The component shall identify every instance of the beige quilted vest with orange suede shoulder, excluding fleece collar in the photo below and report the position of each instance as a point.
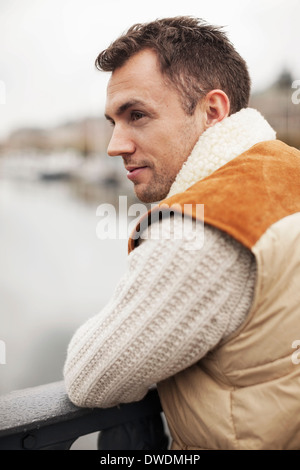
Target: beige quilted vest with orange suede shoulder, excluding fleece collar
(245, 393)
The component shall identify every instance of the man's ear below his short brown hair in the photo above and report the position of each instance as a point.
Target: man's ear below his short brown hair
(216, 107)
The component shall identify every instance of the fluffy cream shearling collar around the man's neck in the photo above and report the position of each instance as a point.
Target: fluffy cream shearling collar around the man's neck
(220, 144)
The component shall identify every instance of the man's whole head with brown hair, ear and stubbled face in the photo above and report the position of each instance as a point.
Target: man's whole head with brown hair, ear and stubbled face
(171, 80)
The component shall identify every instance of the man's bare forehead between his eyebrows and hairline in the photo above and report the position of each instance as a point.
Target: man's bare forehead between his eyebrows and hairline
(138, 79)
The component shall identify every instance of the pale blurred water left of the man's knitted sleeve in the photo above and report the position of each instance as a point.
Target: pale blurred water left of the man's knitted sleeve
(54, 274)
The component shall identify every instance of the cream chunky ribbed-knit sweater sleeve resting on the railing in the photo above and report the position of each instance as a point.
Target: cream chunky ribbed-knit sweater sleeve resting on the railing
(173, 305)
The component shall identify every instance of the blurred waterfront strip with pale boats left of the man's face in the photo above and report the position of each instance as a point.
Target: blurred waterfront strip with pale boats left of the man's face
(74, 152)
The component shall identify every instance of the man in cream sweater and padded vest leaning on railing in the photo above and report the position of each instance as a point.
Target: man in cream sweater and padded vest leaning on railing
(212, 327)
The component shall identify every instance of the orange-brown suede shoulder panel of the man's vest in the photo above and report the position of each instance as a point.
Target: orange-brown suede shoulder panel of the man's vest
(245, 196)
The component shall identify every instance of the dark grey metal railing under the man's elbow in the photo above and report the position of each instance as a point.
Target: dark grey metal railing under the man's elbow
(44, 418)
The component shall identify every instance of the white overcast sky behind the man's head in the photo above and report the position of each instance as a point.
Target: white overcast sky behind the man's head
(48, 49)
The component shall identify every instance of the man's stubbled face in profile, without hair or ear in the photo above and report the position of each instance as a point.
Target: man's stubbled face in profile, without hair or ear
(151, 131)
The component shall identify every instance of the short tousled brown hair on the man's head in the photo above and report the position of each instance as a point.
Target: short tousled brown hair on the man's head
(194, 56)
